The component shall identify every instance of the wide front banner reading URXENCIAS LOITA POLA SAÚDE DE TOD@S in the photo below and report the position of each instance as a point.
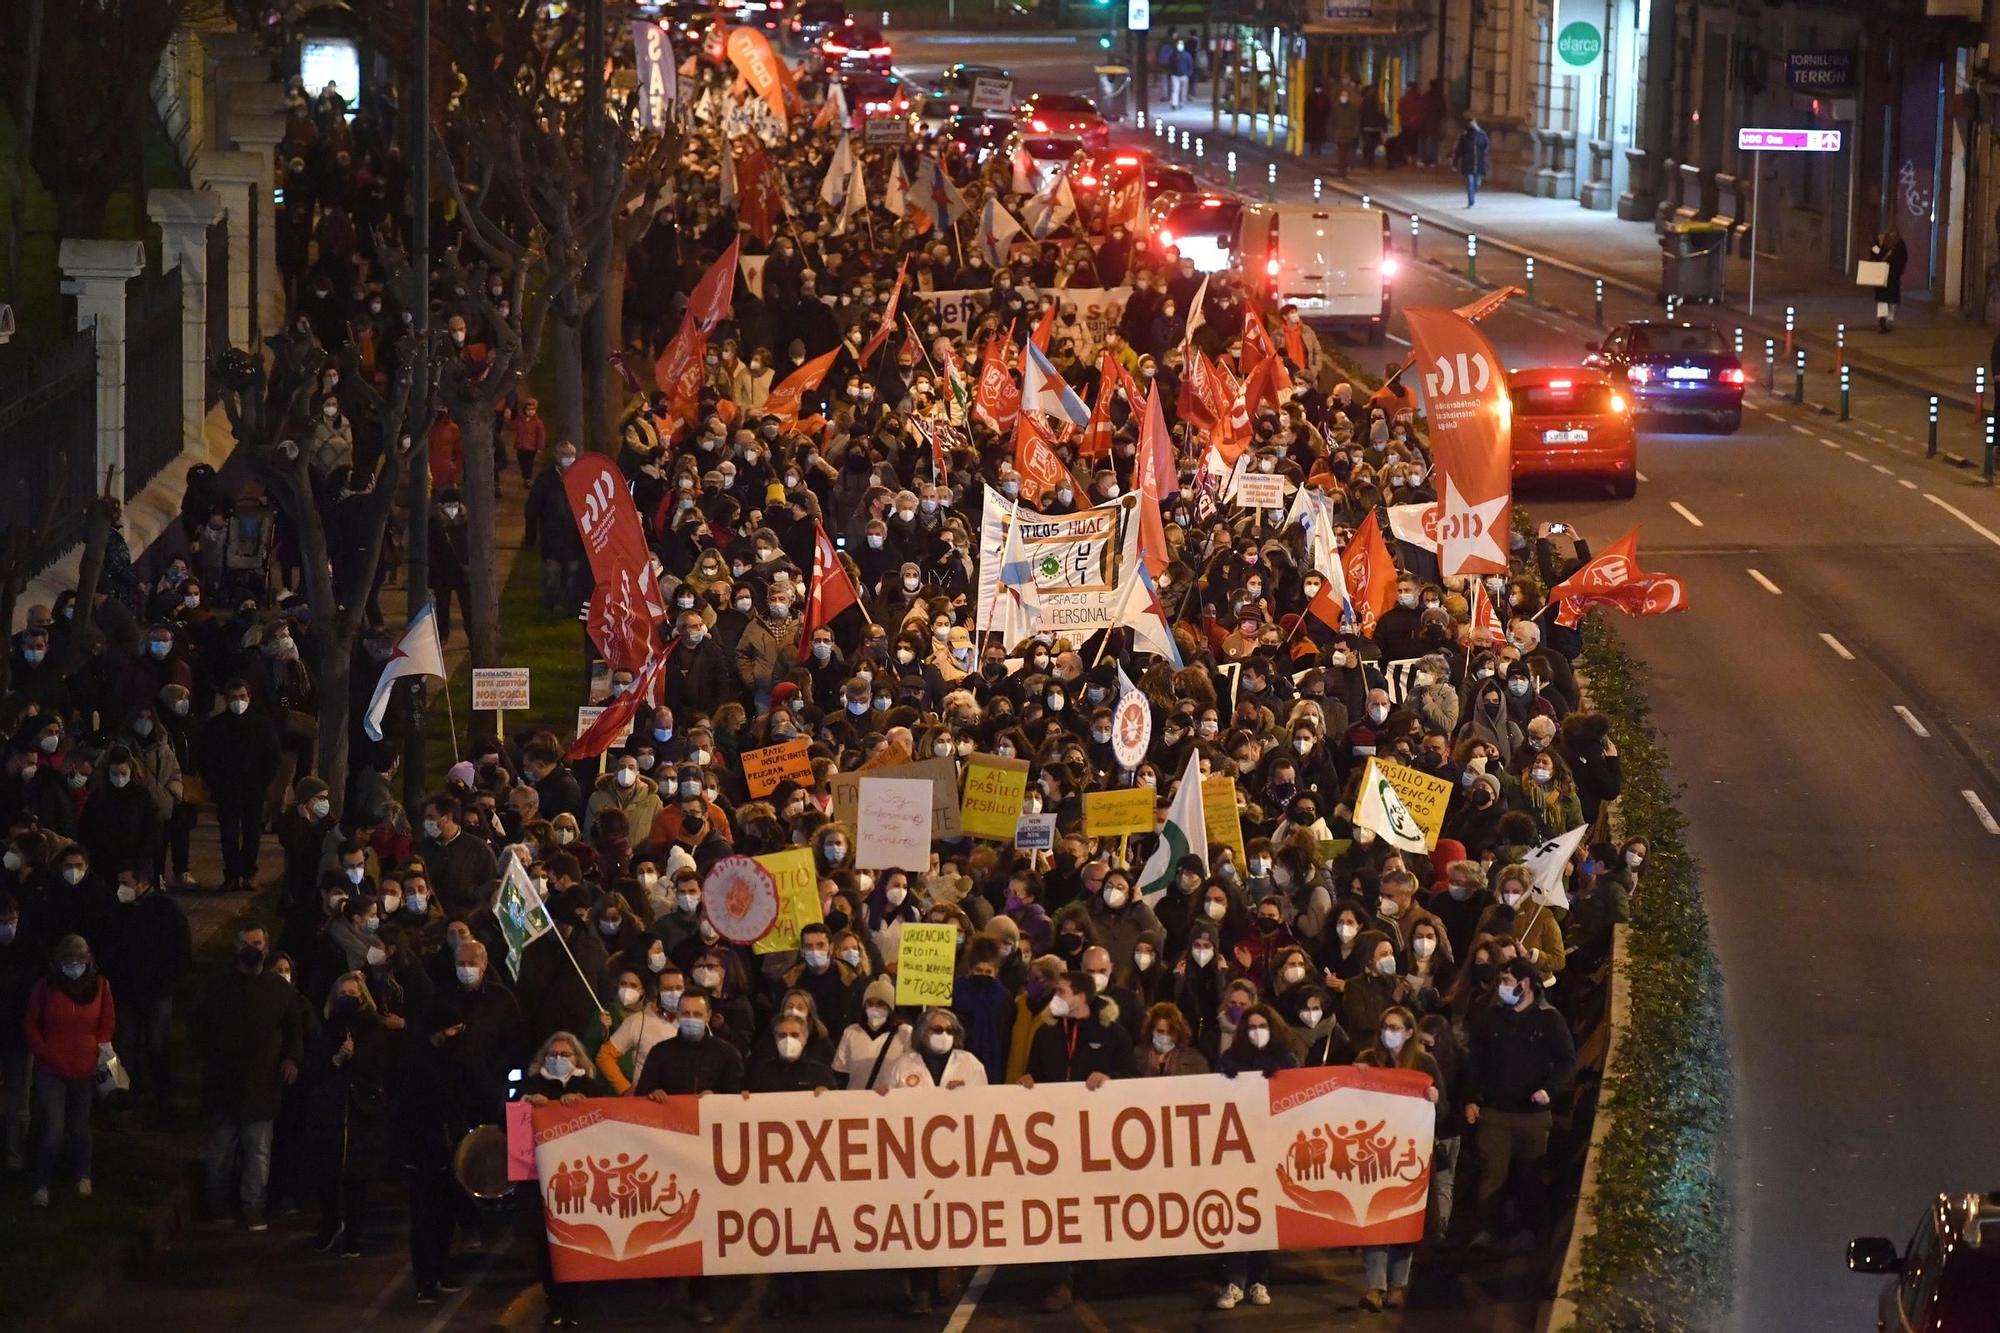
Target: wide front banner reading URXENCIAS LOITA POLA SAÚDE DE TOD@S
(927, 1176)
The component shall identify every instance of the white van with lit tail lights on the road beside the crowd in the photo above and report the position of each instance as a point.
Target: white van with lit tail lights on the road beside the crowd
(1331, 261)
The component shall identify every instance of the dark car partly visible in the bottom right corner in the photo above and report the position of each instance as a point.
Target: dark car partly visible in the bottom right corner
(1947, 1280)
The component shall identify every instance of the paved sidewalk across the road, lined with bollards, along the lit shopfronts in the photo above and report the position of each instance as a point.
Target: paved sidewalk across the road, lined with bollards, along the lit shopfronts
(1931, 351)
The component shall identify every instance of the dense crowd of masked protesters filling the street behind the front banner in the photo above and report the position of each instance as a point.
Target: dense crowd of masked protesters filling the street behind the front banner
(369, 1024)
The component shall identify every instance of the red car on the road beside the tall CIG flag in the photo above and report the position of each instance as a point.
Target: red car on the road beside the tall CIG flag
(1569, 423)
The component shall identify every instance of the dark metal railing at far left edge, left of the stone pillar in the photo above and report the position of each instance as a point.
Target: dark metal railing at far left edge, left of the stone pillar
(49, 439)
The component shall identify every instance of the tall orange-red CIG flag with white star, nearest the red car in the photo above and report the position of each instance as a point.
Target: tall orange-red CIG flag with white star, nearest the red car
(1467, 403)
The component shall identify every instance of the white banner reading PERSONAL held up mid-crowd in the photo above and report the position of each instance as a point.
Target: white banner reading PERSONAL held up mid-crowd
(1077, 561)
